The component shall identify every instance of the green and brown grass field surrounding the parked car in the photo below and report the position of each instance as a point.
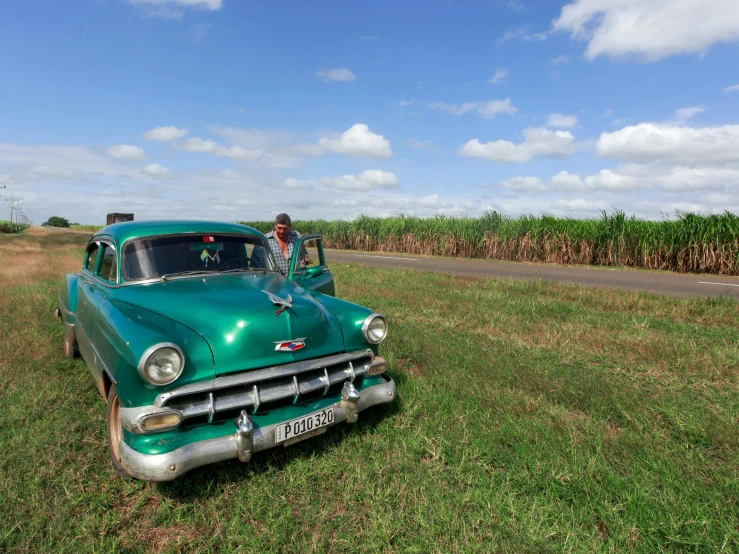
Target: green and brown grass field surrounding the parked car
(532, 417)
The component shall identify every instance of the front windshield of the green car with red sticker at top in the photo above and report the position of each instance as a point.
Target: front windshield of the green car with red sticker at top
(154, 257)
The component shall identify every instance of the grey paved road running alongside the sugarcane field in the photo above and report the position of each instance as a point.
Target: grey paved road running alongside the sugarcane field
(648, 281)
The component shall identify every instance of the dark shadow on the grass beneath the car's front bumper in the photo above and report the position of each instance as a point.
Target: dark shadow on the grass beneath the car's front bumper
(203, 482)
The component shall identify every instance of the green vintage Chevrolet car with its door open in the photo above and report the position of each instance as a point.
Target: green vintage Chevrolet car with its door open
(204, 351)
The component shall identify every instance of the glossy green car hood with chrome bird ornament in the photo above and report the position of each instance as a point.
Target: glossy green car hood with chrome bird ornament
(238, 320)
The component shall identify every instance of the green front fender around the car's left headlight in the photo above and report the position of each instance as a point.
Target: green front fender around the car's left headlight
(124, 332)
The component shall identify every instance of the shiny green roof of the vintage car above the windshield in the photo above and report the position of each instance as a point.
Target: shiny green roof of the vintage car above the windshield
(124, 231)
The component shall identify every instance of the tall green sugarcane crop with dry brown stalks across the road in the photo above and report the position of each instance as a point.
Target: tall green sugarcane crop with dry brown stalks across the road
(688, 243)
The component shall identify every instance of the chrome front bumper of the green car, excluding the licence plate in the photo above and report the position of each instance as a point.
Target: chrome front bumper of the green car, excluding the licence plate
(244, 442)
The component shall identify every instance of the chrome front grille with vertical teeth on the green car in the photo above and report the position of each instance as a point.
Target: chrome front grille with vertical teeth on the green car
(259, 389)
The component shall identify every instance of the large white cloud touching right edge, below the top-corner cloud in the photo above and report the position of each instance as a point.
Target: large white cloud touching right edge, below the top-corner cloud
(665, 142)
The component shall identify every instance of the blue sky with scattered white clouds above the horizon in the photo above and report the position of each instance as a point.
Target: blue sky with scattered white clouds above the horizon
(237, 109)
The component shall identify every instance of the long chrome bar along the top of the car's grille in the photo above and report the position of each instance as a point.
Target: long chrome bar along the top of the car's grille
(255, 375)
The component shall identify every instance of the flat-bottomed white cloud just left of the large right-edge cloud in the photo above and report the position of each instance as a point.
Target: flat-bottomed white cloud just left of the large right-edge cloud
(537, 142)
